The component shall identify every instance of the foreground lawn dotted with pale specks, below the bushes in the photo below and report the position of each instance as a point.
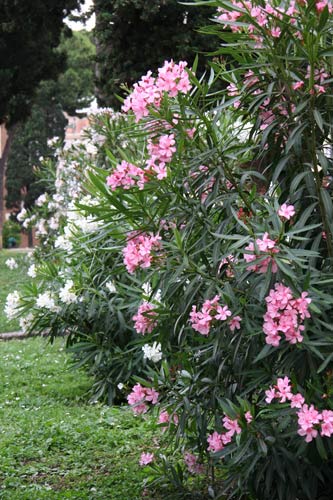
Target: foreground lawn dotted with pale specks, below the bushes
(53, 444)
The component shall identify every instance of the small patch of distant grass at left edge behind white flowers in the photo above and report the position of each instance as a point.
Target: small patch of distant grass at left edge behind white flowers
(11, 280)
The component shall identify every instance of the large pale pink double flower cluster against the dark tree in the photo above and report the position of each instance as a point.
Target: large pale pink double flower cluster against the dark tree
(172, 78)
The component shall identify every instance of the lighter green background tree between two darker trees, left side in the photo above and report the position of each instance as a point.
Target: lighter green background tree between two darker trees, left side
(72, 90)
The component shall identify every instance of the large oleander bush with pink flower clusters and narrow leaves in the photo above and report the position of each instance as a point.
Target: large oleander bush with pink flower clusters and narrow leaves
(220, 205)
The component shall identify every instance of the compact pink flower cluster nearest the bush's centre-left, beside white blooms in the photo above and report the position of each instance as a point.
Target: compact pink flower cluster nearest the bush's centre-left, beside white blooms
(139, 250)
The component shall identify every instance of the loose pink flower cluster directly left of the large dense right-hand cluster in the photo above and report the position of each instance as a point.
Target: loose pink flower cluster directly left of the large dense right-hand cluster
(211, 310)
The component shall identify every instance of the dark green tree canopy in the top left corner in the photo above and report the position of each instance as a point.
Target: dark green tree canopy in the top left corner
(29, 32)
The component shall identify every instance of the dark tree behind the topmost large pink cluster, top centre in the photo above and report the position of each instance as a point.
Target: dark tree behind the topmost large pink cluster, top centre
(133, 36)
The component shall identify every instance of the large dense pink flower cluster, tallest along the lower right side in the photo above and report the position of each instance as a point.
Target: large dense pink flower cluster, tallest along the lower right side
(285, 314)
